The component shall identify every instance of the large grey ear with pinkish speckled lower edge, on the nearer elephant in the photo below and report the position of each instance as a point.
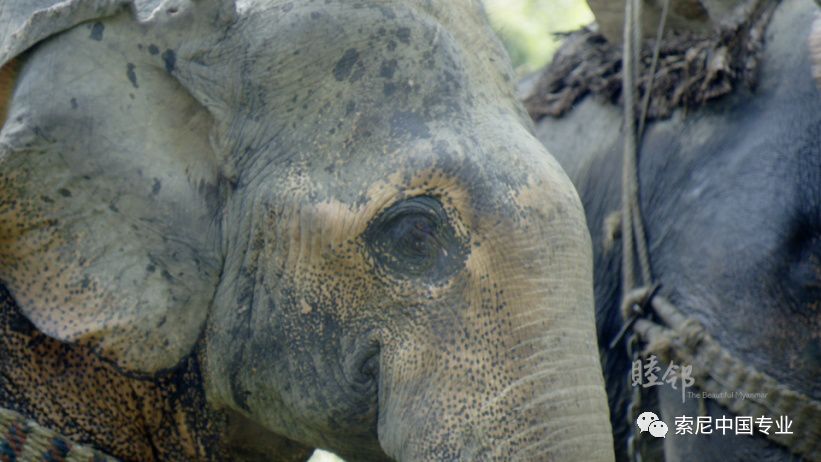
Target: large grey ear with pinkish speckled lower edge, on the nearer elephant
(109, 188)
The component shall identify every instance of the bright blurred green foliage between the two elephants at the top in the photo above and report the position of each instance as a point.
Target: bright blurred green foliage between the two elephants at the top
(526, 27)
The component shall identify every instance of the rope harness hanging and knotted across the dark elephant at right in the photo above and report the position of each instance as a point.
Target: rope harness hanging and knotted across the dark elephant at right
(677, 337)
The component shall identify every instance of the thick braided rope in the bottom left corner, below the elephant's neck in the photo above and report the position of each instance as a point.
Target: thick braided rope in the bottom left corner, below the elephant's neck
(23, 440)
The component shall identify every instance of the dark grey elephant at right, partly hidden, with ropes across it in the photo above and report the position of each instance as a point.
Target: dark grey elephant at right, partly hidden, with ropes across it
(730, 200)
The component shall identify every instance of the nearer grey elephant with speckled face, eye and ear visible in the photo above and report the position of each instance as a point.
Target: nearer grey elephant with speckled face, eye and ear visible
(245, 230)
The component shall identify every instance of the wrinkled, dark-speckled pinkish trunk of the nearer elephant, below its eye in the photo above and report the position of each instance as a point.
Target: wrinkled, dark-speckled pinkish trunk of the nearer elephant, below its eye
(522, 384)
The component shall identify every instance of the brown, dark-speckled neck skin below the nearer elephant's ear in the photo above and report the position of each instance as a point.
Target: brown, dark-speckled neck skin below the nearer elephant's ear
(81, 398)
